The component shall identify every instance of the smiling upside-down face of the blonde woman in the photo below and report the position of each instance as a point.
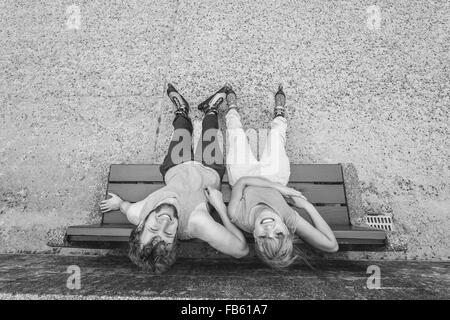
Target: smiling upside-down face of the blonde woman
(269, 224)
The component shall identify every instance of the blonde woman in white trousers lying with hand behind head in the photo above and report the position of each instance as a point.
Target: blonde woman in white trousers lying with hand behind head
(258, 203)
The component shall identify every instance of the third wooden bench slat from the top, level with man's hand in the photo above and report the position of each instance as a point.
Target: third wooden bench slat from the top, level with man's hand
(332, 215)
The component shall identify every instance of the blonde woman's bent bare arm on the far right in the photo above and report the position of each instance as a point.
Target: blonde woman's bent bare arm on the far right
(320, 235)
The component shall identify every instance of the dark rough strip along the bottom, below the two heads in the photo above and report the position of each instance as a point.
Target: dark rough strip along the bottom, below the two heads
(45, 276)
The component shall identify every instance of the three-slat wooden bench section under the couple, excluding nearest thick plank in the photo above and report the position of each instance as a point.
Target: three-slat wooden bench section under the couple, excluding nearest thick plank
(322, 184)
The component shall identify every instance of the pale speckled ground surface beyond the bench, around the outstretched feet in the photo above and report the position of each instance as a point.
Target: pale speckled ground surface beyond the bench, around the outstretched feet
(78, 95)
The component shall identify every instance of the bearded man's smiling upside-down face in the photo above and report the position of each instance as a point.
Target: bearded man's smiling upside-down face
(163, 224)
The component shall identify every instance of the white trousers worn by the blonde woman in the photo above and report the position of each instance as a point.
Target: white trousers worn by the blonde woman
(274, 163)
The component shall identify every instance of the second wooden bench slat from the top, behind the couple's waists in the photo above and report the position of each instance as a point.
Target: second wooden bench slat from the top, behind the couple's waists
(316, 193)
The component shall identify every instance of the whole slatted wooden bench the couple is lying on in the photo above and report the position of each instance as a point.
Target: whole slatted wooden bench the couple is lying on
(322, 184)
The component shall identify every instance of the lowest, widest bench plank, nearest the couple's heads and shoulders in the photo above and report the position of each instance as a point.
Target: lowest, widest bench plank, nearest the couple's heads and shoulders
(344, 234)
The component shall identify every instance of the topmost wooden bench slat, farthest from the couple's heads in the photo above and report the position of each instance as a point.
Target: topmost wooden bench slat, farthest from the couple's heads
(331, 173)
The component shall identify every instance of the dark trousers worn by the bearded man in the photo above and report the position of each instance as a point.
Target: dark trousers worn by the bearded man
(208, 150)
